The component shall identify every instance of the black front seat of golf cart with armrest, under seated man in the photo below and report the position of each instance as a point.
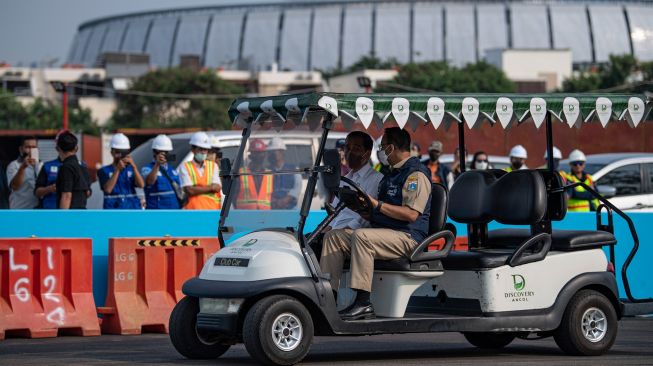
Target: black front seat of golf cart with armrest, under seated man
(420, 259)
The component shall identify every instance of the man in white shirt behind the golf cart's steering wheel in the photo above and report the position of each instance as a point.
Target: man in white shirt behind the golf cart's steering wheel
(358, 149)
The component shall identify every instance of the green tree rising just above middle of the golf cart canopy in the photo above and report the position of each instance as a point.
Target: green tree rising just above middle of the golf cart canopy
(439, 76)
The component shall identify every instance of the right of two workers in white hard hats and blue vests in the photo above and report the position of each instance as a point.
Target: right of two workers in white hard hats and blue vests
(161, 178)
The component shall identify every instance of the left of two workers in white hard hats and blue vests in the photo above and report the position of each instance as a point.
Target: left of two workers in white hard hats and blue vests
(120, 179)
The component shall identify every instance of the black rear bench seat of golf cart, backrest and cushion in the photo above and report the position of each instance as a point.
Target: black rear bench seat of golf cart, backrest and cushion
(516, 198)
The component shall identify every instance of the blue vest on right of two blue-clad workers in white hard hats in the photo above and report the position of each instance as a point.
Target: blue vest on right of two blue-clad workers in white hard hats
(161, 195)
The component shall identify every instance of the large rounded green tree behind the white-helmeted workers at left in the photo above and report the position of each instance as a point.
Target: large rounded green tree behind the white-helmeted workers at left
(150, 109)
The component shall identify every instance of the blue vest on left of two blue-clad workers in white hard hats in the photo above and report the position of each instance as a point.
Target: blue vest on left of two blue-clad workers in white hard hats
(123, 196)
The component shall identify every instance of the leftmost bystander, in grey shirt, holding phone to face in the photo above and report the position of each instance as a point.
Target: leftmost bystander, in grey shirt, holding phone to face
(21, 175)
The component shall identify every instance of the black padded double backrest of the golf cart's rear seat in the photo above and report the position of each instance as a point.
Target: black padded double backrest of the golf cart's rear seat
(516, 198)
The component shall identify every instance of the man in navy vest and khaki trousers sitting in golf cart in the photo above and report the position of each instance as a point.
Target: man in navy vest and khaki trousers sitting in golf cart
(399, 221)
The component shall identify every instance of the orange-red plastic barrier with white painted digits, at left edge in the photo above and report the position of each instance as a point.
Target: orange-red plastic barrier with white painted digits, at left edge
(46, 288)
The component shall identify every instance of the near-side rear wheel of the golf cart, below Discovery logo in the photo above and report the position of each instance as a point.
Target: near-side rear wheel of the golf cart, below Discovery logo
(570, 335)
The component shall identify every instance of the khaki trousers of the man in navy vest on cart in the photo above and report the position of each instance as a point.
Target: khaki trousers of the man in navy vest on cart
(362, 246)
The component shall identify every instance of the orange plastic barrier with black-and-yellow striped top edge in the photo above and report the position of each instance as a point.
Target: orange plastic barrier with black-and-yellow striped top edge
(145, 279)
